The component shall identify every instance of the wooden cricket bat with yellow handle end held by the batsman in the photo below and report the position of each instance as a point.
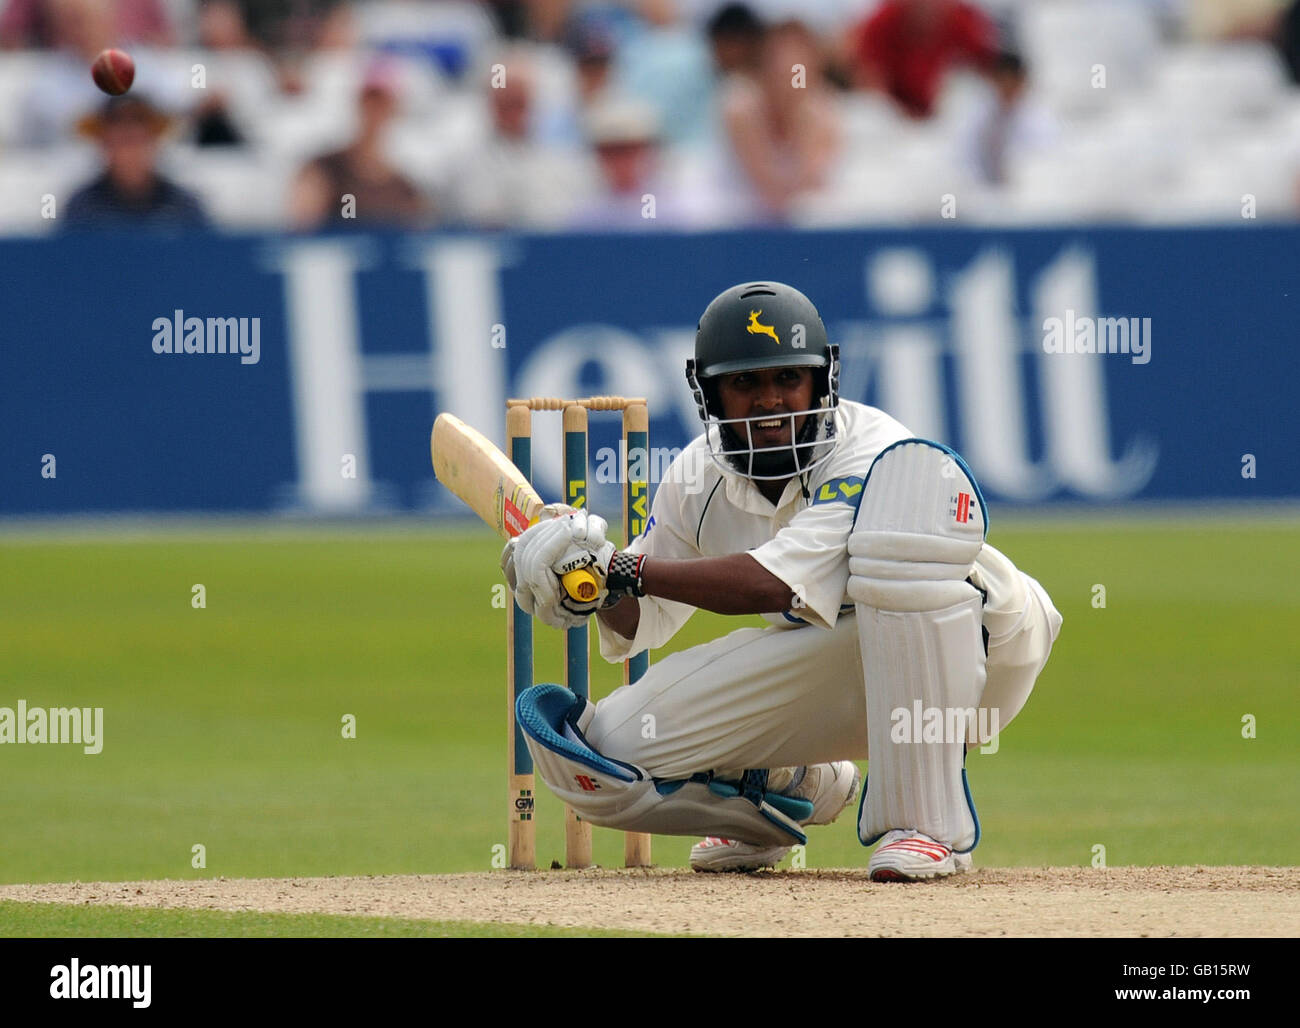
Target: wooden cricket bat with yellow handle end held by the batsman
(469, 465)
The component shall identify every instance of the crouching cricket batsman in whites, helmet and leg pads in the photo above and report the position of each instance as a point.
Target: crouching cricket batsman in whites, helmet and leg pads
(896, 632)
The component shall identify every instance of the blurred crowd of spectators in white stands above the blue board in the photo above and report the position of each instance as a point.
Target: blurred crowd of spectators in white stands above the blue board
(644, 115)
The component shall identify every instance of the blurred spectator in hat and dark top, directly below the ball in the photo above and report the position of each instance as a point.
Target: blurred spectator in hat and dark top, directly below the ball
(131, 190)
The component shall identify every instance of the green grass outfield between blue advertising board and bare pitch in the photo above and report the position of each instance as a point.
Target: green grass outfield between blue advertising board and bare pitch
(223, 726)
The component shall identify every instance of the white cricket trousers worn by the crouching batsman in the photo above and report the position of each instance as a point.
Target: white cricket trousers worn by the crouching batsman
(775, 697)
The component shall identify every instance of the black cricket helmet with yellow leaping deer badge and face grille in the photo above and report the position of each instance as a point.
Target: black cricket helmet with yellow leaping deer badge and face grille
(755, 327)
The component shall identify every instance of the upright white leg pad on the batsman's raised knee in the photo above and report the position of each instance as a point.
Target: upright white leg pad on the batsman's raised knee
(918, 532)
